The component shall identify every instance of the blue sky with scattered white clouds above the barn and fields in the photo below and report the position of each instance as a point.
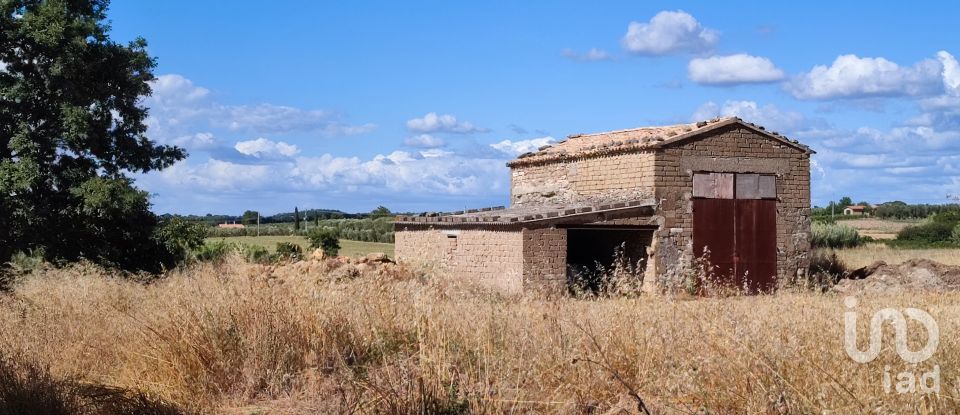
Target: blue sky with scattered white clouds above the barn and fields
(417, 106)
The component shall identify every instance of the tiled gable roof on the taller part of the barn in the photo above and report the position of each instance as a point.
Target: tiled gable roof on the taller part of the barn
(643, 138)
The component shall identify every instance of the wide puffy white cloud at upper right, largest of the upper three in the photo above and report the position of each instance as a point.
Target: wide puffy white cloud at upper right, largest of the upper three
(851, 76)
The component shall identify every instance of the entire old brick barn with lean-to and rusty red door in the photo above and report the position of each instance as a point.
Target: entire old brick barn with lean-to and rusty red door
(723, 189)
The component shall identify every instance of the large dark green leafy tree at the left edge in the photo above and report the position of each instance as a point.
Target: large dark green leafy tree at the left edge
(71, 131)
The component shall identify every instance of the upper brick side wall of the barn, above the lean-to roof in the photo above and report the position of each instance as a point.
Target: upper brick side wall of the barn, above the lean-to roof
(596, 177)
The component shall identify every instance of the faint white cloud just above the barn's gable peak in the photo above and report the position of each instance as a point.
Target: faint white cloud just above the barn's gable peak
(768, 115)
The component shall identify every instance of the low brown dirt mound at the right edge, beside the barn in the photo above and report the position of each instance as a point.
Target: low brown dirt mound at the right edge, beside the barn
(912, 275)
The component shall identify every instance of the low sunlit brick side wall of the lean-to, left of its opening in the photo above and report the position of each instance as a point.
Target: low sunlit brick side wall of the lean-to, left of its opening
(492, 259)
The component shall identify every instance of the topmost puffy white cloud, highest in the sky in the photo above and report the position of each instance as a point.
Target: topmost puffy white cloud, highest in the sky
(669, 32)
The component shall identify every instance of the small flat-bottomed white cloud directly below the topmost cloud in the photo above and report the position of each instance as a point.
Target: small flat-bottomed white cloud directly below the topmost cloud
(733, 69)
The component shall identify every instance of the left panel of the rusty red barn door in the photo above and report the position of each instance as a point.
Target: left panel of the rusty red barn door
(714, 229)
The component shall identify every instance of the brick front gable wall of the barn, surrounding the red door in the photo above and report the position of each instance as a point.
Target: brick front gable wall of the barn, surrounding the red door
(733, 149)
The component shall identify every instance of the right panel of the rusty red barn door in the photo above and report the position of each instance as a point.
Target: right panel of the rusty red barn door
(756, 244)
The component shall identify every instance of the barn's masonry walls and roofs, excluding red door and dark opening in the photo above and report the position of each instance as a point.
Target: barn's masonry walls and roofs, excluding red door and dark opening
(525, 247)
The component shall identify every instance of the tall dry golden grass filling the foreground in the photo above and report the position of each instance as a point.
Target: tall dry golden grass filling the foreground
(236, 336)
